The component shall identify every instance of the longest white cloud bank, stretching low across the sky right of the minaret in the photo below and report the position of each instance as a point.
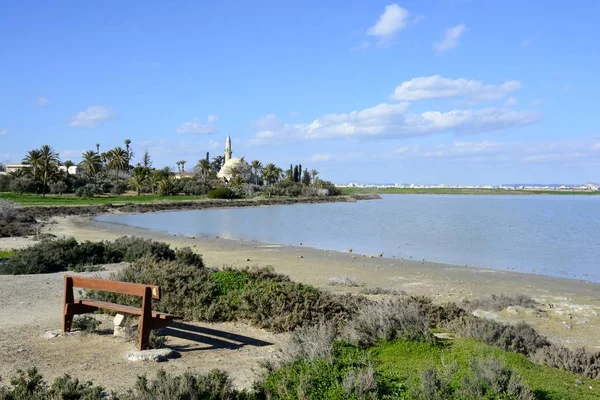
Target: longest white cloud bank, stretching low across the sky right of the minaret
(393, 120)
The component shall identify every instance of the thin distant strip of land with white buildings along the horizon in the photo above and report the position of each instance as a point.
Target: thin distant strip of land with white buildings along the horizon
(510, 192)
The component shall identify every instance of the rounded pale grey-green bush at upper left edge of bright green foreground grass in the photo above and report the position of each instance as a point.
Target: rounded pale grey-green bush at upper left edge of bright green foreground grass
(391, 320)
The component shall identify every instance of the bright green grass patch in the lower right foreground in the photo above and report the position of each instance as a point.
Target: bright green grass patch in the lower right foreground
(404, 359)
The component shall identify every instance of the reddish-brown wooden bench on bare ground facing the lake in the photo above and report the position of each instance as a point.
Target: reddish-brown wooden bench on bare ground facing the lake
(148, 319)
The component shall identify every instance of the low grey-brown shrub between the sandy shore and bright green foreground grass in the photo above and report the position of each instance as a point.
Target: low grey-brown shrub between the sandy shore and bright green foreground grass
(520, 338)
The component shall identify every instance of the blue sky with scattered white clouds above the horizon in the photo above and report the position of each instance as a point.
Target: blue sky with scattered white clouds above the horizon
(447, 91)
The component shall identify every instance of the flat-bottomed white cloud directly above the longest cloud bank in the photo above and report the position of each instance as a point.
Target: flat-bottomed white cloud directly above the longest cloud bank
(436, 86)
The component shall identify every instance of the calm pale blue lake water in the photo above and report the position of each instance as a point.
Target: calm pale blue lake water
(550, 235)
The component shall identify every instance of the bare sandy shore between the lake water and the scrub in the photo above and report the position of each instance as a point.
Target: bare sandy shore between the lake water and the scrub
(569, 311)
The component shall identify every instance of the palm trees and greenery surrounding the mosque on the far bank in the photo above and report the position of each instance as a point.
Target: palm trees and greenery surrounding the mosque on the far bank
(110, 174)
